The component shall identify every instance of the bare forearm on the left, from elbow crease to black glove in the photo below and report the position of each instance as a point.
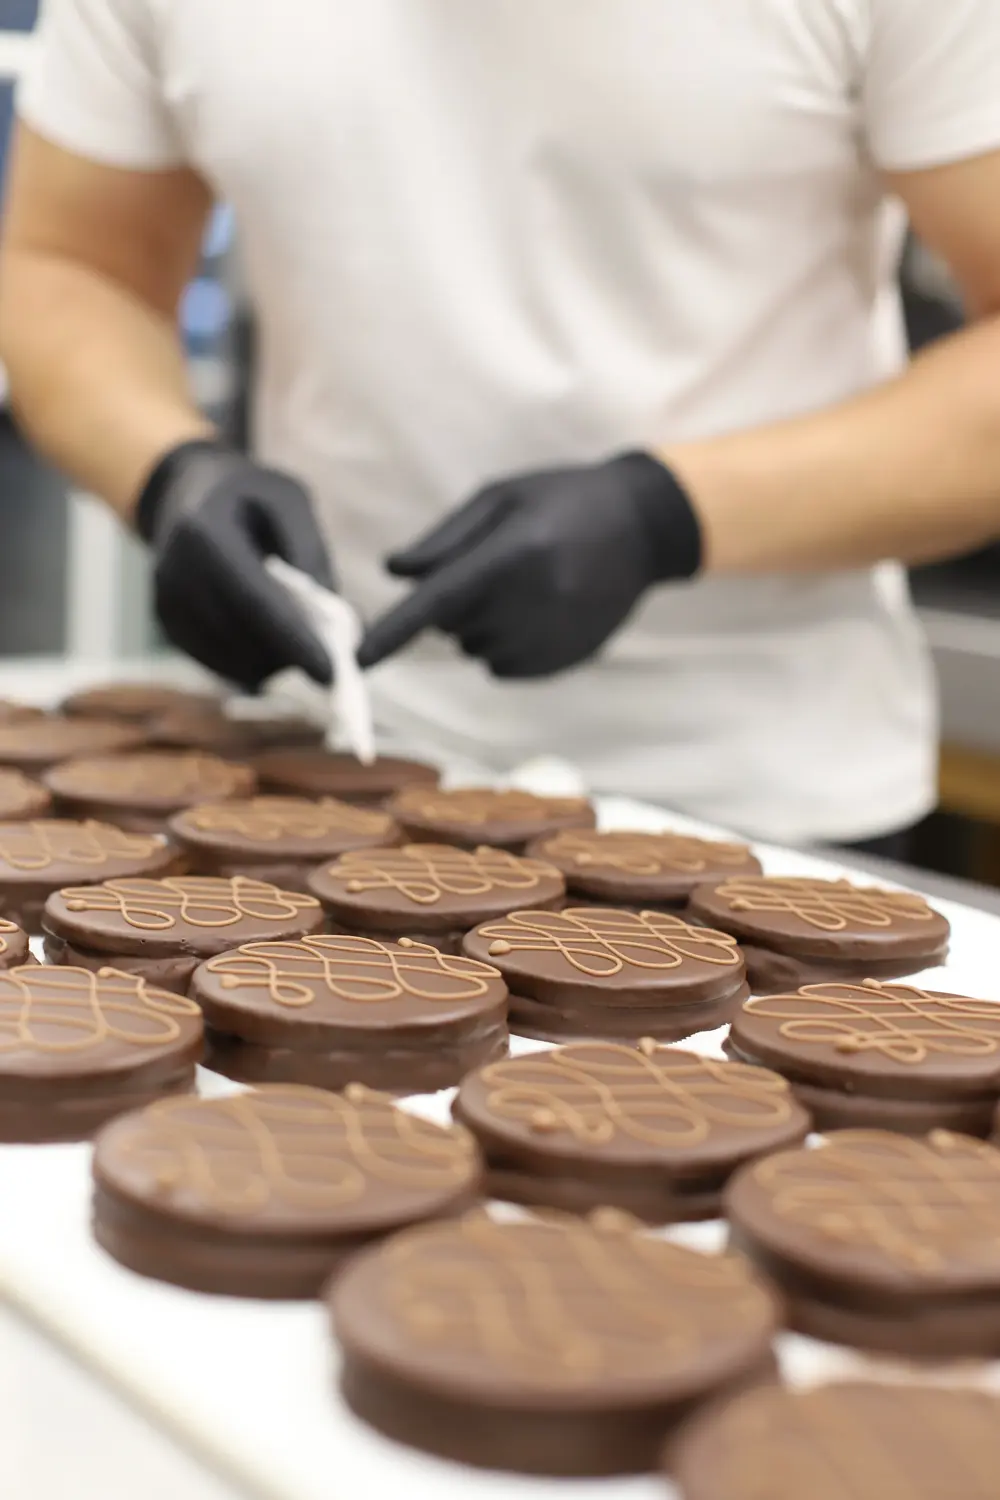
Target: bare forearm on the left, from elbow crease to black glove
(97, 377)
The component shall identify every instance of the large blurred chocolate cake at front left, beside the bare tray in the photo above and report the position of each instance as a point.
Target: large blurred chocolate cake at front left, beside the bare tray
(265, 1193)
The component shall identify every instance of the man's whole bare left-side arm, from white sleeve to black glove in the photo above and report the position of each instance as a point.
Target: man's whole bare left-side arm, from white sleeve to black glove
(92, 266)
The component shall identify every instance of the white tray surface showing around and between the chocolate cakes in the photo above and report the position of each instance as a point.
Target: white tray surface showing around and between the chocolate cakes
(253, 1385)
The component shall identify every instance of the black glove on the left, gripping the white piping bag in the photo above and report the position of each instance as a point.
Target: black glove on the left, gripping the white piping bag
(212, 517)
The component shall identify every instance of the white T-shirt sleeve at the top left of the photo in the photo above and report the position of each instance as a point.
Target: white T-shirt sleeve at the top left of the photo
(94, 85)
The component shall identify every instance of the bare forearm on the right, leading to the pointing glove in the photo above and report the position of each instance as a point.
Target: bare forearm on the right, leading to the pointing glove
(909, 470)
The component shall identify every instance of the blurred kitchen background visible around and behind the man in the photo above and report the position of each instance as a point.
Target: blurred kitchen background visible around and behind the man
(71, 584)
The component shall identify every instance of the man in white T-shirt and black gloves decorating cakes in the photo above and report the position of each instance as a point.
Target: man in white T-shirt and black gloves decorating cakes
(584, 310)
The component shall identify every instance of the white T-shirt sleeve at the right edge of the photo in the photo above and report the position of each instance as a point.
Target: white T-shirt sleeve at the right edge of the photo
(932, 89)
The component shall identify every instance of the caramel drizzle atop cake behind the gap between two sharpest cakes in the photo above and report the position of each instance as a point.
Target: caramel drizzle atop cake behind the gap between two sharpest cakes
(424, 874)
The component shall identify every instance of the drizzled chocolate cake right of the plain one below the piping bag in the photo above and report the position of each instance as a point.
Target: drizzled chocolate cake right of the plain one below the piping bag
(476, 815)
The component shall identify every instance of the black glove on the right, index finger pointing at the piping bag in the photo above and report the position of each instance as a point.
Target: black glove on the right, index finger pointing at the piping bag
(537, 572)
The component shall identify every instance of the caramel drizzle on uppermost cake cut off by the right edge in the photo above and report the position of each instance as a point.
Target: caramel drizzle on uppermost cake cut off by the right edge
(897, 1021)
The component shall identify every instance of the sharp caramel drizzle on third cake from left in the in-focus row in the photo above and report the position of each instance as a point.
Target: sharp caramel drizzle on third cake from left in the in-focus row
(606, 943)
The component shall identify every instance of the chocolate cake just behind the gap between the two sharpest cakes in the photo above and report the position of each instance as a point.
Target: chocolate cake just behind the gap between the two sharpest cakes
(434, 893)
